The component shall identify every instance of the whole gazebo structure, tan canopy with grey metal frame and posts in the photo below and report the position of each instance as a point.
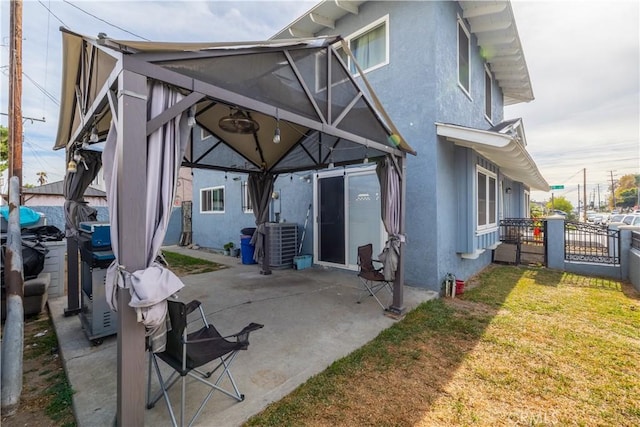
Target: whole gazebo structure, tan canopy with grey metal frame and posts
(301, 87)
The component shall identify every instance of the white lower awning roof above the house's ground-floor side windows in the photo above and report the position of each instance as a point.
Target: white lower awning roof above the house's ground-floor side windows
(504, 145)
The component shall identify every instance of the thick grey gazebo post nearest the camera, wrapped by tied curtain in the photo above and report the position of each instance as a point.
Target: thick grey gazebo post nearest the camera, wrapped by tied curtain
(131, 158)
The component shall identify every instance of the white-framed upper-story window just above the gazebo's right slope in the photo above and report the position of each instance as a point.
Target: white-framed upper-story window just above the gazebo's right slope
(370, 46)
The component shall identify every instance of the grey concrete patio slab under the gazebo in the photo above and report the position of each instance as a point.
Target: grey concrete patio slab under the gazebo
(310, 319)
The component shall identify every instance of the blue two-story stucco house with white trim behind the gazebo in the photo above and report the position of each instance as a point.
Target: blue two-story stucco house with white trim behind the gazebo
(444, 71)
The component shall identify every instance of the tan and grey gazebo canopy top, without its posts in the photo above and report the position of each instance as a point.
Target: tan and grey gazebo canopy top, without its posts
(298, 89)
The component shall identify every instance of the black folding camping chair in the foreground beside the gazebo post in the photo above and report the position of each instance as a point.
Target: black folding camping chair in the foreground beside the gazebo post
(186, 352)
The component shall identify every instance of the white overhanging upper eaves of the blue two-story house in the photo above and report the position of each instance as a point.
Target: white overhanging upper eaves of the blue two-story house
(492, 22)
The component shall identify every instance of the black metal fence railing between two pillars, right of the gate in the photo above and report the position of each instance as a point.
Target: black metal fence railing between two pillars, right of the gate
(591, 243)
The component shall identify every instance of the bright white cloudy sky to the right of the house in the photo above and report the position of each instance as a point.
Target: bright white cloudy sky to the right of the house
(583, 59)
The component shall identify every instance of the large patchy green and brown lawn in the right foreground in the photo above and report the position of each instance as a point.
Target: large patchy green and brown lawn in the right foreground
(525, 346)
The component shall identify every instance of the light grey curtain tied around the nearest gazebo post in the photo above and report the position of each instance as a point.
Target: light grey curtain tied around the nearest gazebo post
(150, 287)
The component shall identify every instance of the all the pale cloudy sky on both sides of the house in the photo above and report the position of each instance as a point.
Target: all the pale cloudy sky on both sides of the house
(583, 59)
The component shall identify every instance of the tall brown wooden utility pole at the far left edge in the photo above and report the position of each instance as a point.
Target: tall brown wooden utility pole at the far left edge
(15, 91)
